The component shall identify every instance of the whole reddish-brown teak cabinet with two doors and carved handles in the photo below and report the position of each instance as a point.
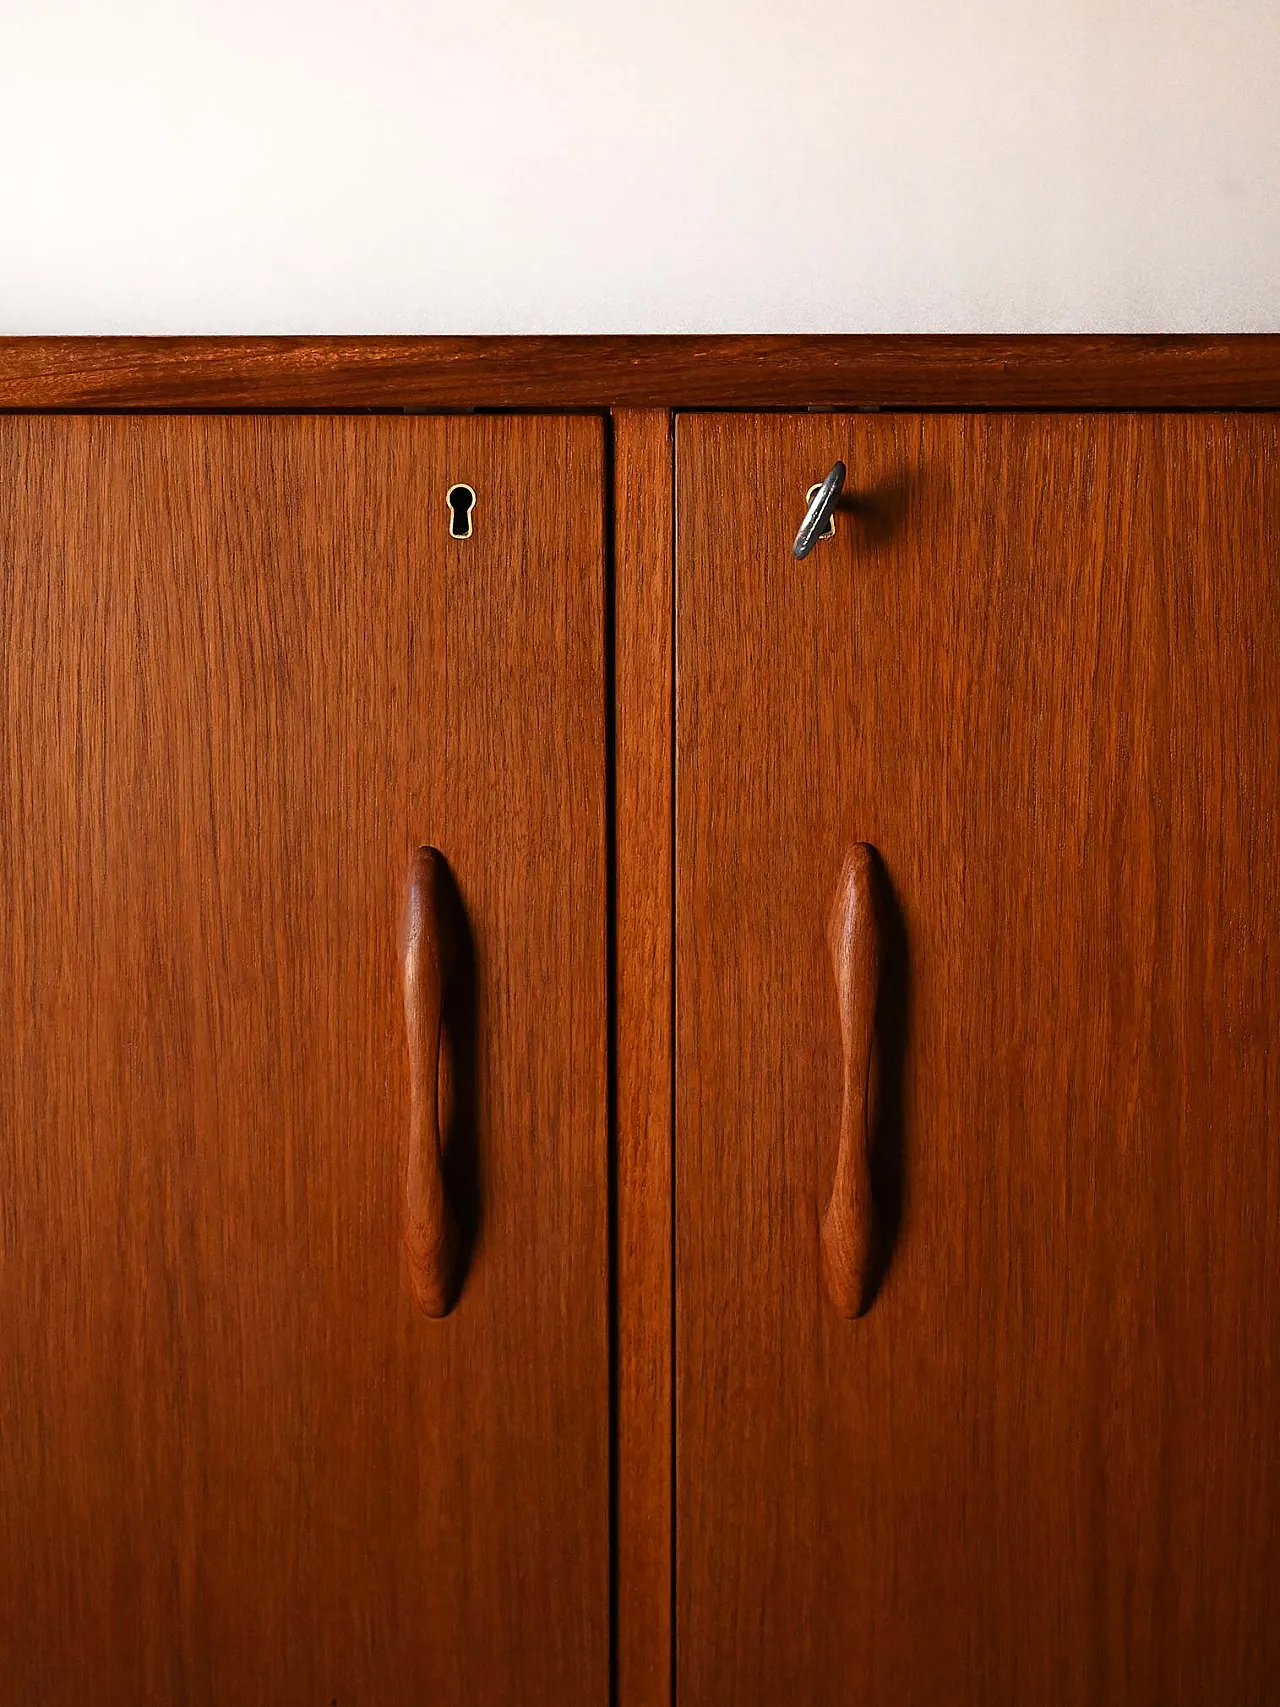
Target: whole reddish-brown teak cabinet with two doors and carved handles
(847, 989)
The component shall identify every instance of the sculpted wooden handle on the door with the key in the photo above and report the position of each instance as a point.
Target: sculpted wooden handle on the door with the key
(856, 936)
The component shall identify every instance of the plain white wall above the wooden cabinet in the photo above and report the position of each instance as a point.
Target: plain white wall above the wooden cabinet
(677, 166)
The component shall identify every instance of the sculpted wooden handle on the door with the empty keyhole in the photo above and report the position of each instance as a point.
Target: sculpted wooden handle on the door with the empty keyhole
(431, 953)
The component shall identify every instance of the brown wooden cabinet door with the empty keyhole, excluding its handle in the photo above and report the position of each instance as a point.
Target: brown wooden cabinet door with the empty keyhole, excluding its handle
(247, 675)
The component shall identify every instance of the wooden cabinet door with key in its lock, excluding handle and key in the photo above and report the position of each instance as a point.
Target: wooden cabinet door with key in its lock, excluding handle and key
(1039, 668)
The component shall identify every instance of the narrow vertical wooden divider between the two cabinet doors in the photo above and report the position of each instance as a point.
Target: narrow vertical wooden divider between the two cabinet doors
(644, 1042)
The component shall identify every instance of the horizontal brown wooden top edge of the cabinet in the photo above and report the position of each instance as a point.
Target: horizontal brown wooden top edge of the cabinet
(1078, 371)
